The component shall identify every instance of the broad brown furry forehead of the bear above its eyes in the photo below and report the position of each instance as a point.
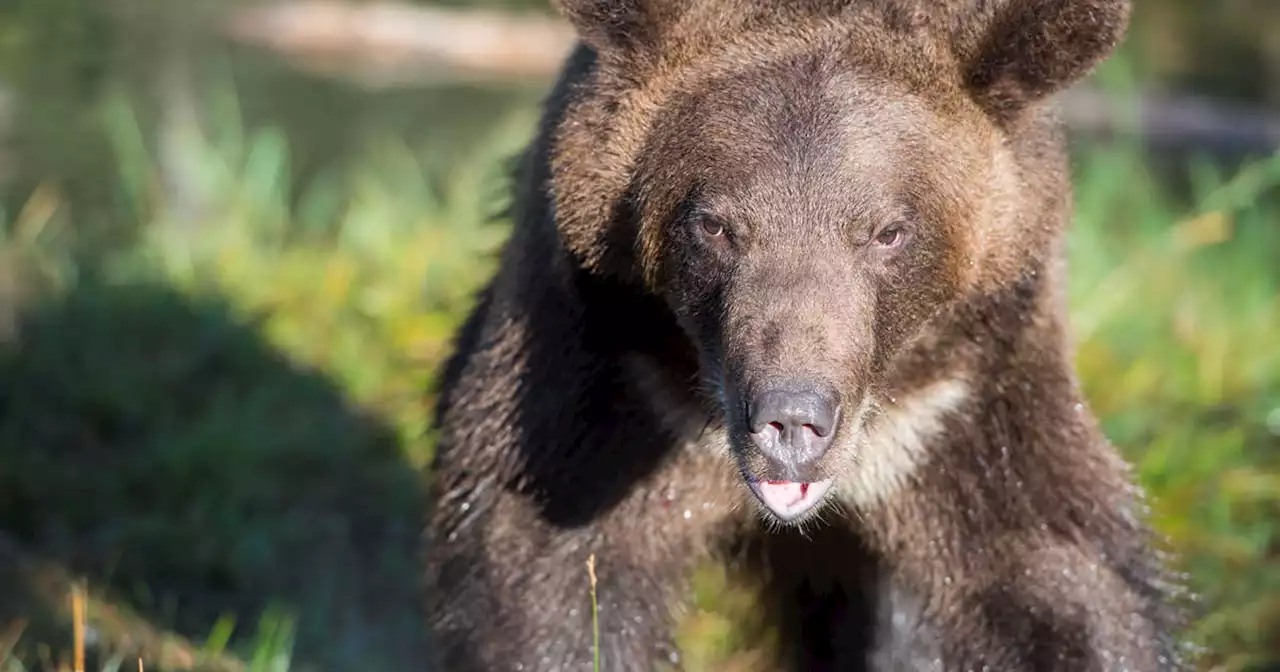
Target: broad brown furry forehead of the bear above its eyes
(812, 130)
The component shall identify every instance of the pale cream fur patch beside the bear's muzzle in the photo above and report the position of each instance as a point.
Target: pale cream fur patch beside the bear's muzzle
(894, 444)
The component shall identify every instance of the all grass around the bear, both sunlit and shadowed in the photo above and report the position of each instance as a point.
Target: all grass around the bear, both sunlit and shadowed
(227, 420)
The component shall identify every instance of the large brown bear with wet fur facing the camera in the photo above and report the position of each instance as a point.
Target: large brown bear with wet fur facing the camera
(787, 287)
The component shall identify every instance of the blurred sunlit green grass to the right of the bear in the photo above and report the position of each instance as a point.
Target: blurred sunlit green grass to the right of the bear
(1178, 322)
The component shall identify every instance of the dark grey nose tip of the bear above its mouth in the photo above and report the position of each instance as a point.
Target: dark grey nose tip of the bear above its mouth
(794, 426)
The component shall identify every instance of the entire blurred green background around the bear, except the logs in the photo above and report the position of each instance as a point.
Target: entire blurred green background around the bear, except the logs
(227, 280)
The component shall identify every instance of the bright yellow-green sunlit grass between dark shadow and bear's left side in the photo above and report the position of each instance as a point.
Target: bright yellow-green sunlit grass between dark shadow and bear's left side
(377, 260)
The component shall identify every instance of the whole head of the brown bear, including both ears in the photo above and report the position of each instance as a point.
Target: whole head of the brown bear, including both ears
(812, 188)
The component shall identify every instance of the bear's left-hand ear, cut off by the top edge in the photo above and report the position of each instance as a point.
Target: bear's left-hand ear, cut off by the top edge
(614, 25)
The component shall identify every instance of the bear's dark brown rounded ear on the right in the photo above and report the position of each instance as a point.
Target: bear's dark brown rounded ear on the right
(1016, 53)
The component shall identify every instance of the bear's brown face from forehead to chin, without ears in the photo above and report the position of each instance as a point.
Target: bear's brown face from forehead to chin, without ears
(821, 221)
